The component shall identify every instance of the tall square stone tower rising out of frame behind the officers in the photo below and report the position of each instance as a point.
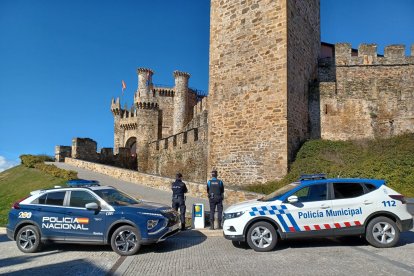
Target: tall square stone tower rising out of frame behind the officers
(263, 57)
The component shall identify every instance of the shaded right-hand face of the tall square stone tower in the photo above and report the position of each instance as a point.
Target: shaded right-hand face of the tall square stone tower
(303, 49)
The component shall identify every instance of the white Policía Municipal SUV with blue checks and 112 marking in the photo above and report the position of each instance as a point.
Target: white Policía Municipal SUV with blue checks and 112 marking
(319, 207)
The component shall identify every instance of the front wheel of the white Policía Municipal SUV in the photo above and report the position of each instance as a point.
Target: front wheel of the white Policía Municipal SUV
(262, 236)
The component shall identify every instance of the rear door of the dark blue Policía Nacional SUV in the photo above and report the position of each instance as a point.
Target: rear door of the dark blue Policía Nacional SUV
(49, 213)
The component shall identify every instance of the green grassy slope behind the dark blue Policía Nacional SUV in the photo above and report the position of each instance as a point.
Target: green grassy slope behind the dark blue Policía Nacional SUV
(17, 183)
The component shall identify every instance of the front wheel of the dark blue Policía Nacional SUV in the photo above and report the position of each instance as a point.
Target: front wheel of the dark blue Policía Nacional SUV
(126, 240)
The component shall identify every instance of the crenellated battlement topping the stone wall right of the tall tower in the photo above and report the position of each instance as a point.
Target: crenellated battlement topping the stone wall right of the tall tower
(368, 55)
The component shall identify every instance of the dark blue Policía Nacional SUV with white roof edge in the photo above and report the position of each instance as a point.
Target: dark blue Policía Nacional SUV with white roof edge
(89, 215)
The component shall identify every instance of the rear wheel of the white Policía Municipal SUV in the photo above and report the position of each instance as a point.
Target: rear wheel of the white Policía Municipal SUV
(382, 232)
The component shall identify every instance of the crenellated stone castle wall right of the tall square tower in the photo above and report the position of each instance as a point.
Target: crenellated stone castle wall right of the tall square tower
(364, 96)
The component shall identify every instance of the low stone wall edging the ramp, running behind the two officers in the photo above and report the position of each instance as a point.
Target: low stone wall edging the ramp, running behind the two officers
(163, 183)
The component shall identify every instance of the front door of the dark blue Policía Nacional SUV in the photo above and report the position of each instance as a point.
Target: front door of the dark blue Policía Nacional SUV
(83, 224)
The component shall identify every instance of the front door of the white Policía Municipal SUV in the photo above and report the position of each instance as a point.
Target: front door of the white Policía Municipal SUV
(309, 212)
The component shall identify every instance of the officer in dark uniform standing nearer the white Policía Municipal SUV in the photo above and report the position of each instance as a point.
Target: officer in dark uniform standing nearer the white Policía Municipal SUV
(215, 191)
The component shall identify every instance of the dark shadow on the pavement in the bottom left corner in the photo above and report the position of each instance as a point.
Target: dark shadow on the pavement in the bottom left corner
(74, 267)
